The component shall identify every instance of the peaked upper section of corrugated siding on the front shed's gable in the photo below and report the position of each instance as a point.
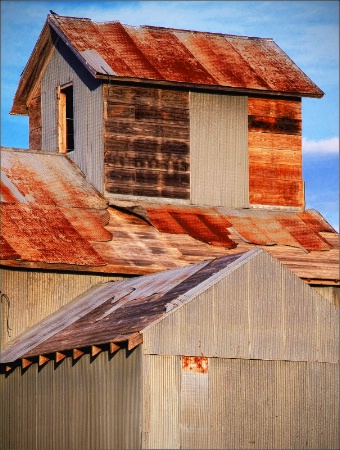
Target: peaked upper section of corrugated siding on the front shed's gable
(276, 317)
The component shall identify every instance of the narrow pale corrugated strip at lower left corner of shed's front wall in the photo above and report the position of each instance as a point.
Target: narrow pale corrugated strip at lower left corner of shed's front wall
(161, 405)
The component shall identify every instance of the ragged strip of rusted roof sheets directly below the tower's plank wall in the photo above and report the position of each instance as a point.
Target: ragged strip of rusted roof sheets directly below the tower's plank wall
(260, 227)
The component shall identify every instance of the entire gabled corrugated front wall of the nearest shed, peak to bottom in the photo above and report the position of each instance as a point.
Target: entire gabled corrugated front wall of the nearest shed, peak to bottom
(271, 346)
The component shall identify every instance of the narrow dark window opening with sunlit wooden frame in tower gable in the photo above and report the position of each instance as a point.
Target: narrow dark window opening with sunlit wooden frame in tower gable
(66, 119)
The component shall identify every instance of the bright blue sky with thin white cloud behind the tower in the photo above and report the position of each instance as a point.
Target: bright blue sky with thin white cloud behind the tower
(308, 31)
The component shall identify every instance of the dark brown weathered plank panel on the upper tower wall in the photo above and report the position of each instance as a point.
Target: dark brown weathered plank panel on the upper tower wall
(146, 142)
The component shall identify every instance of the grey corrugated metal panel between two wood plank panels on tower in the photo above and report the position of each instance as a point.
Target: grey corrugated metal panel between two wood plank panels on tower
(219, 150)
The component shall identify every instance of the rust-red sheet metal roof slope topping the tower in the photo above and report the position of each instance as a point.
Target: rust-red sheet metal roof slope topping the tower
(186, 56)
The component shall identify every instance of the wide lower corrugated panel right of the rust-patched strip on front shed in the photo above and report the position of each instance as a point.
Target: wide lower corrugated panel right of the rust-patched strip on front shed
(272, 404)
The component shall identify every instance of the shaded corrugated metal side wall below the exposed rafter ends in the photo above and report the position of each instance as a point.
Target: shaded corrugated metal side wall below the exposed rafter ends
(80, 405)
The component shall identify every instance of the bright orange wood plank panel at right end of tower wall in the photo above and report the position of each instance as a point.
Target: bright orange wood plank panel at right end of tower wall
(275, 152)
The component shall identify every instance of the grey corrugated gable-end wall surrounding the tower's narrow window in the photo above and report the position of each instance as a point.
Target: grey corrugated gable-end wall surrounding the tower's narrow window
(88, 113)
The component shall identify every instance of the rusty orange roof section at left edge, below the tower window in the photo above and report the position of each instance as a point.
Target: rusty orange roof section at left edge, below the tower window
(49, 212)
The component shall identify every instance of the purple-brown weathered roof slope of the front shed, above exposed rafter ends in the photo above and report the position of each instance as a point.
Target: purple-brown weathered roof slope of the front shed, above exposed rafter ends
(116, 311)
